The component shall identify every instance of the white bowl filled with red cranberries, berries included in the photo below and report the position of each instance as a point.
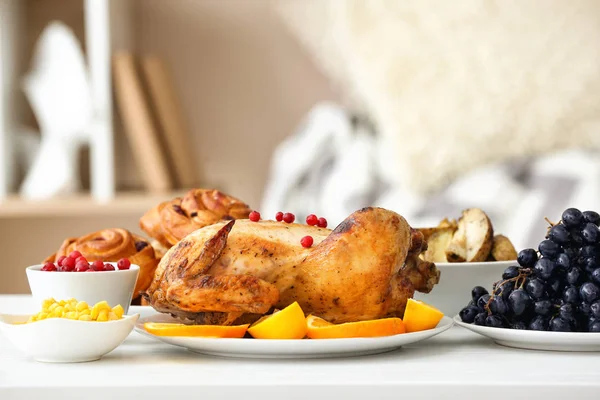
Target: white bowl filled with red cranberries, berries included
(74, 277)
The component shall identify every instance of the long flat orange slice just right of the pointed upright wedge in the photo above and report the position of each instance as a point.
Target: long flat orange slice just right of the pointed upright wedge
(318, 328)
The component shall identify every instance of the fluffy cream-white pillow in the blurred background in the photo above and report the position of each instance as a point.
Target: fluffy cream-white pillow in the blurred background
(456, 85)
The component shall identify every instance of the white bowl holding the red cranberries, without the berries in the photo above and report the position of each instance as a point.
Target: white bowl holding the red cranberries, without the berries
(116, 287)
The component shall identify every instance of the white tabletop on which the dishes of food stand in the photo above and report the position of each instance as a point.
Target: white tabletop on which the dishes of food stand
(457, 364)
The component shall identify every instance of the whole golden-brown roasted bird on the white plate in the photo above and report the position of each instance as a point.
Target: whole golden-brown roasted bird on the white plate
(236, 271)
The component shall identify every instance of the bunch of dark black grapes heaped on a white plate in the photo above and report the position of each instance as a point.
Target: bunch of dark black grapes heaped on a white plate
(556, 288)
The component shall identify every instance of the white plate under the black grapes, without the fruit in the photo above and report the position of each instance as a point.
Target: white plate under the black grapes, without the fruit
(536, 340)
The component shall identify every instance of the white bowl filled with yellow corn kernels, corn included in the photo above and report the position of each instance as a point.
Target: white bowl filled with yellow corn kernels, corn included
(69, 330)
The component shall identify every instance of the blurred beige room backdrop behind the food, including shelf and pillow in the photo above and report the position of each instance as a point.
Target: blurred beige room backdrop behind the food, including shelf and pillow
(109, 107)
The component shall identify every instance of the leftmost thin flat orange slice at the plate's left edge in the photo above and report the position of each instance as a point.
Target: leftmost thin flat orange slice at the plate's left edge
(218, 331)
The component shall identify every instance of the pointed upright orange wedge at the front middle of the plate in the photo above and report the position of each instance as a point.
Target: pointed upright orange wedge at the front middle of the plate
(288, 323)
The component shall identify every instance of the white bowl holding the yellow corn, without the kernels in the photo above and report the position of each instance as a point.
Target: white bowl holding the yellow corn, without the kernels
(61, 340)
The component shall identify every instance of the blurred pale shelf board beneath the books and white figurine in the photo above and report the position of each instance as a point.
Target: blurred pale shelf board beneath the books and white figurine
(82, 204)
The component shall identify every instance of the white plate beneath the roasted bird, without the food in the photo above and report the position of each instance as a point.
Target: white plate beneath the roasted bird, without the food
(305, 348)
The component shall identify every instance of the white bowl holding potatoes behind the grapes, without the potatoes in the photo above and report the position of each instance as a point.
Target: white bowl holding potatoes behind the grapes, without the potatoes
(453, 293)
